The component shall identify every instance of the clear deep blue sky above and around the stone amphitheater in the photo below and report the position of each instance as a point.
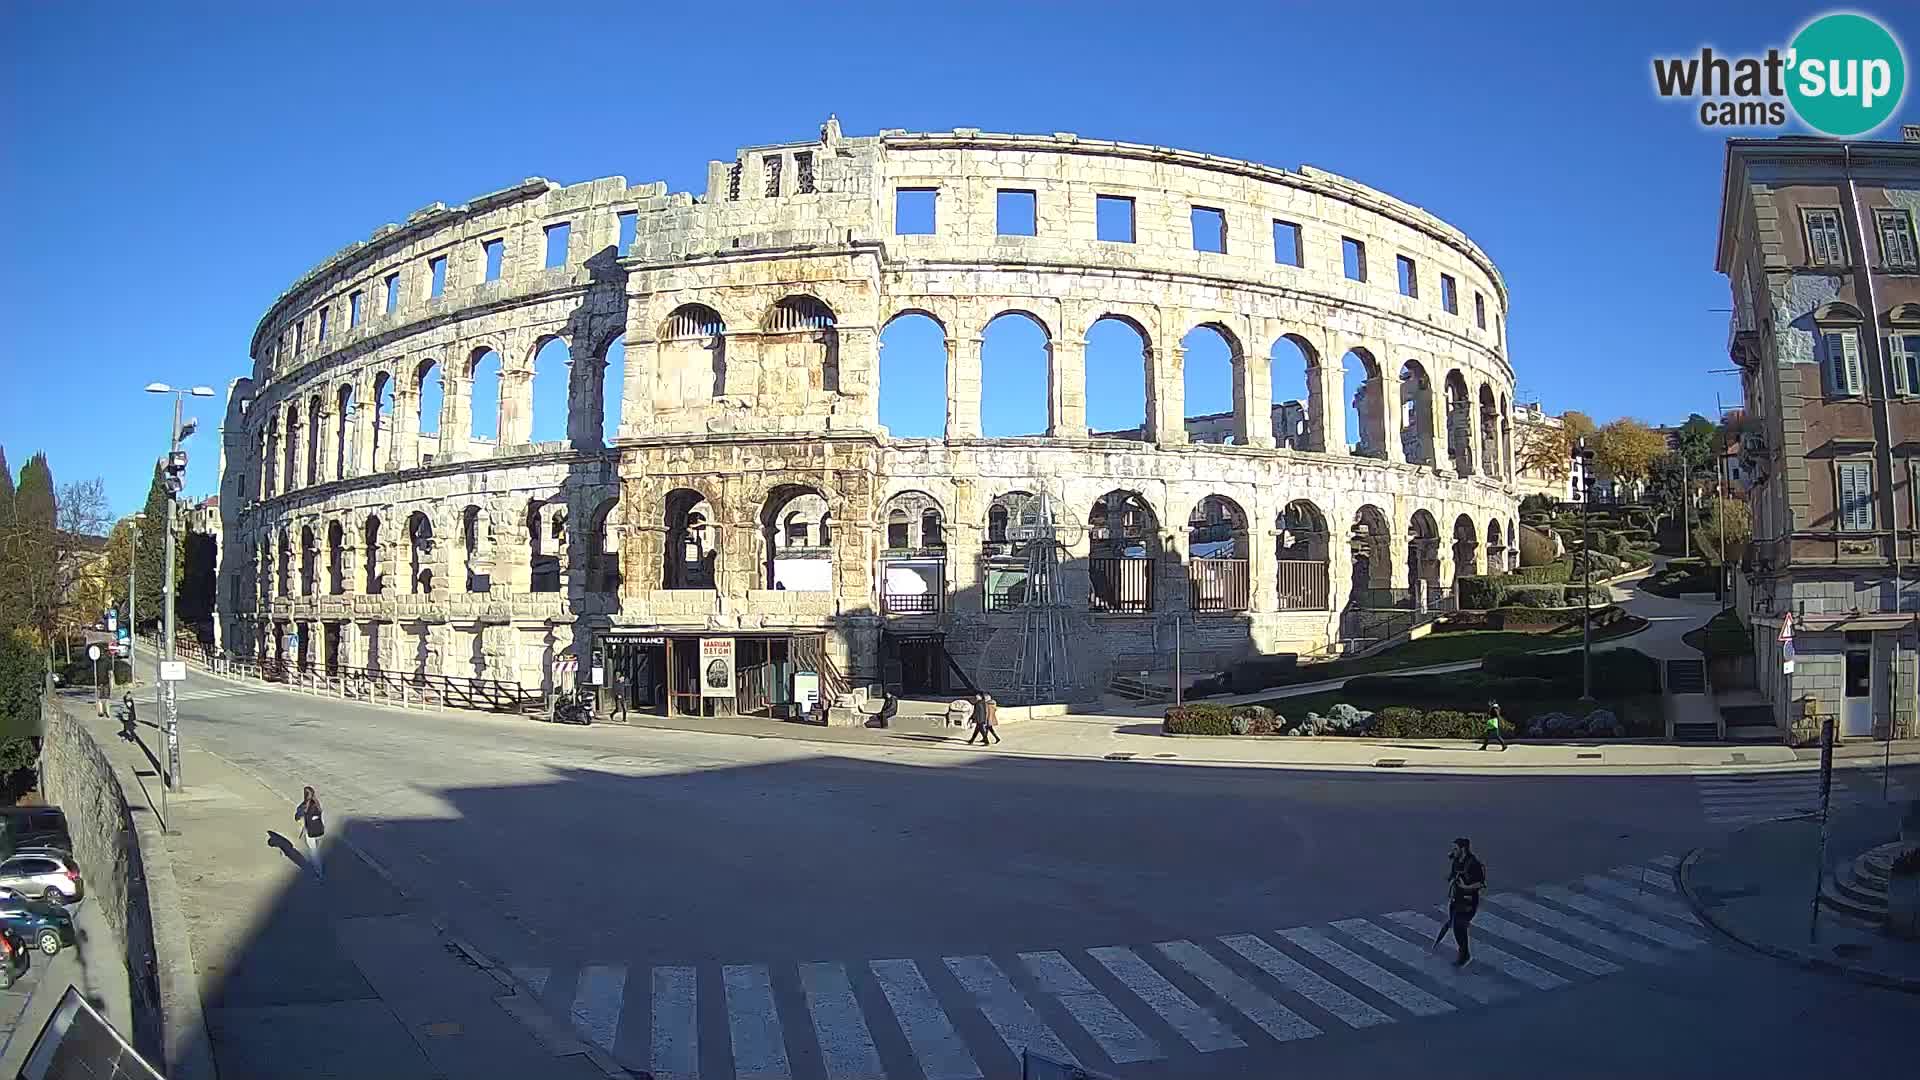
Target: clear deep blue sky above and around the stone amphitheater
(168, 174)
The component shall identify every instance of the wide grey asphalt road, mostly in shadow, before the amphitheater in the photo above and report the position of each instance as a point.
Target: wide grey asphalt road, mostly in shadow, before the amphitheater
(729, 906)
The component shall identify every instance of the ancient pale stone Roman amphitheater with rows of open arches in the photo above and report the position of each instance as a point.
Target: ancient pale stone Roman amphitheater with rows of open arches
(619, 430)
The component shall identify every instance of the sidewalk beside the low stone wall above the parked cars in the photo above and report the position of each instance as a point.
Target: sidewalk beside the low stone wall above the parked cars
(304, 979)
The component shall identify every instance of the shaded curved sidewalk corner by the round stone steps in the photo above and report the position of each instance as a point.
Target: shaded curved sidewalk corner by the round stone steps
(1758, 889)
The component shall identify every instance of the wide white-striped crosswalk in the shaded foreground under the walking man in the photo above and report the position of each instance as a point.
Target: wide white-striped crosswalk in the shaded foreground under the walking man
(969, 1018)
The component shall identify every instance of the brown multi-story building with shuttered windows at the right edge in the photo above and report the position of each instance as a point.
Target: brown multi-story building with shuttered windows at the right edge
(1817, 241)
